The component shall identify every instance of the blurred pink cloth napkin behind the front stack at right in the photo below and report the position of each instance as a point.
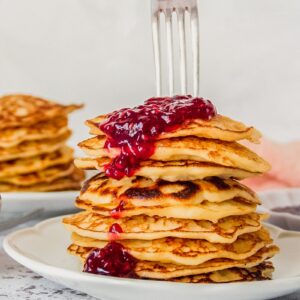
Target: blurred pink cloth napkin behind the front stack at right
(285, 162)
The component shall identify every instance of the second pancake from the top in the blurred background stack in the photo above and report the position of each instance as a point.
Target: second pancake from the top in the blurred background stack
(11, 137)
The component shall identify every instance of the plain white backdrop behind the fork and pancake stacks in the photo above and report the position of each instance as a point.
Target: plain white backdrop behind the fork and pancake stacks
(100, 52)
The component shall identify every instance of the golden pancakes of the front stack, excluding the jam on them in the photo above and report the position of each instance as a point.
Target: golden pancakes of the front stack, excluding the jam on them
(183, 216)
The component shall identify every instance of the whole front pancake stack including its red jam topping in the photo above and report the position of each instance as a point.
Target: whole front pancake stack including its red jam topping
(170, 207)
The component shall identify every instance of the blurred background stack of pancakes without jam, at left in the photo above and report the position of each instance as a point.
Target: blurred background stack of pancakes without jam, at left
(33, 152)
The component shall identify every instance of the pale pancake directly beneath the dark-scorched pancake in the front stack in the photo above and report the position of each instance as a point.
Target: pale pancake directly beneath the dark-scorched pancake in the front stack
(205, 211)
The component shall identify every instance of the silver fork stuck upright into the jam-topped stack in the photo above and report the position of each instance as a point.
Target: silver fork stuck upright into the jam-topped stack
(176, 11)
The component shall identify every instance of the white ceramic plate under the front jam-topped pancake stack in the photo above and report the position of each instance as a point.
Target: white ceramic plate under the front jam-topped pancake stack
(43, 250)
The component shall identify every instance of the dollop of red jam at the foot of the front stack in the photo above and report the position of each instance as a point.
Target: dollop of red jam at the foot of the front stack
(113, 260)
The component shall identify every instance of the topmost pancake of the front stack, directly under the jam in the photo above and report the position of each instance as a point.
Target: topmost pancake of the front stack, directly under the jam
(220, 128)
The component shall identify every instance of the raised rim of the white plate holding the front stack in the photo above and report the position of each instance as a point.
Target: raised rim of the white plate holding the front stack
(13, 252)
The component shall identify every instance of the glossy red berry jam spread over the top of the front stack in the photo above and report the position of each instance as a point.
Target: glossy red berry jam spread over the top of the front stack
(133, 130)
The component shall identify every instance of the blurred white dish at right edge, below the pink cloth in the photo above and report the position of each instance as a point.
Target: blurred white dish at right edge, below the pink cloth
(282, 198)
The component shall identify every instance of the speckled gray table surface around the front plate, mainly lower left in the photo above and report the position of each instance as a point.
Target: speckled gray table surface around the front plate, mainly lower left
(20, 283)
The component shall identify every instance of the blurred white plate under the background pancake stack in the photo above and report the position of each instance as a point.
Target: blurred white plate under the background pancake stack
(53, 202)
